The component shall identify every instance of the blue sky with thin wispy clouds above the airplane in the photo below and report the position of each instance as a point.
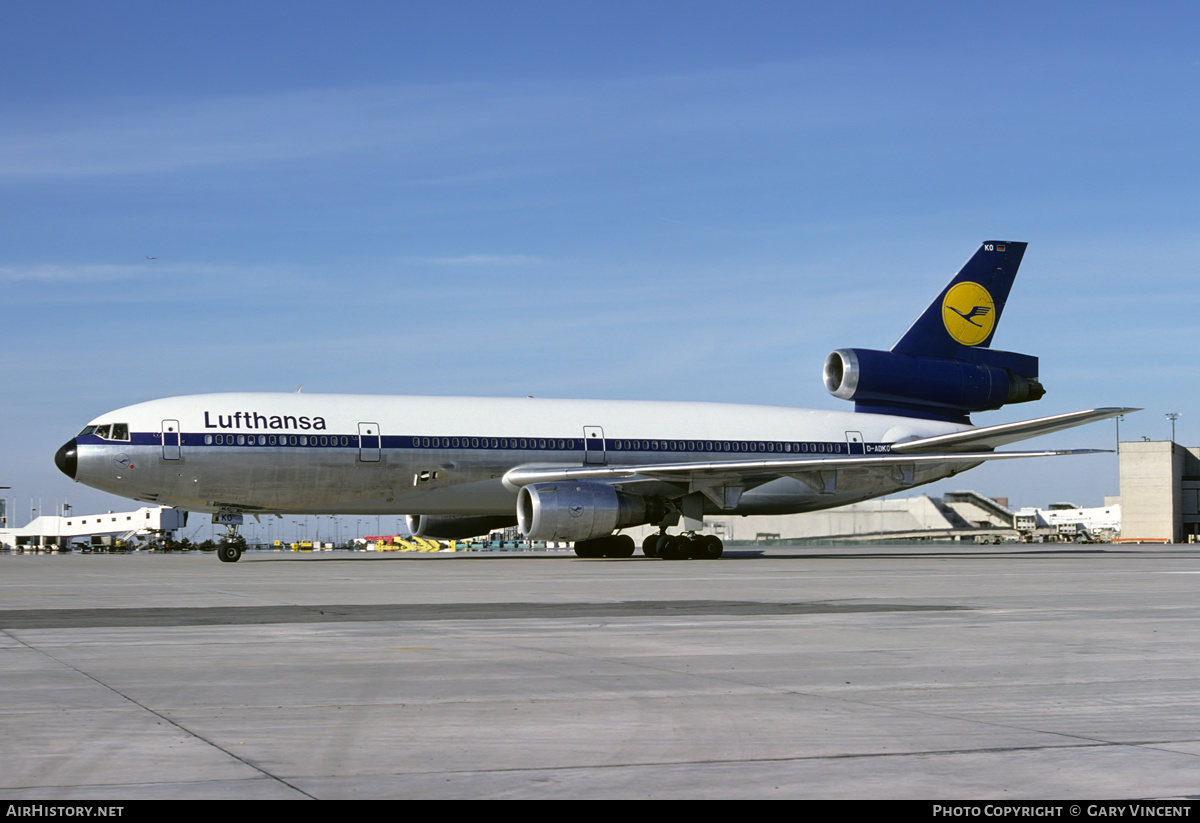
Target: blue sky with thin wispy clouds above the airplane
(619, 201)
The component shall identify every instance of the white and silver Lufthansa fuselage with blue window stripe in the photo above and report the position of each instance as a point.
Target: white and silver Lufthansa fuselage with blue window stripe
(363, 454)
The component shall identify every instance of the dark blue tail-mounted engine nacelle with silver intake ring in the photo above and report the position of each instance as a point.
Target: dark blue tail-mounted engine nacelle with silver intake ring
(980, 381)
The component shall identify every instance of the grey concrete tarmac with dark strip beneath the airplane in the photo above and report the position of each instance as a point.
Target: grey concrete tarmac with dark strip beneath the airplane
(939, 672)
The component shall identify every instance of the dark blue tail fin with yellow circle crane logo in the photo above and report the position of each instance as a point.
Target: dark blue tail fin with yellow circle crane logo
(968, 311)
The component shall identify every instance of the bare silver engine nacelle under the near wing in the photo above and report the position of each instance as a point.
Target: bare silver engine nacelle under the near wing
(580, 510)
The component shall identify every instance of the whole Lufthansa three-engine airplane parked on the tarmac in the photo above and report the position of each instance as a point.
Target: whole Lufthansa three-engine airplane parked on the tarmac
(584, 471)
